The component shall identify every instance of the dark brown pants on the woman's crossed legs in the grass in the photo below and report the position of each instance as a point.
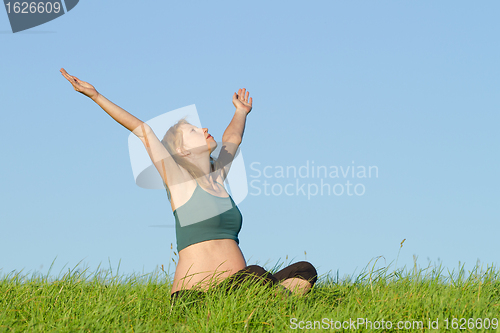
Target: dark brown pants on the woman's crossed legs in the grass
(302, 270)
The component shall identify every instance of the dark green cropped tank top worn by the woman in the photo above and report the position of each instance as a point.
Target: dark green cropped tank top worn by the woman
(206, 217)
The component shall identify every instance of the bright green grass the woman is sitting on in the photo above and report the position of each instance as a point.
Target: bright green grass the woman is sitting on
(415, 298)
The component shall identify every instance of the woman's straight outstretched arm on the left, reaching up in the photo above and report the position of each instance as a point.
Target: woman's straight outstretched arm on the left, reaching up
(162, 160)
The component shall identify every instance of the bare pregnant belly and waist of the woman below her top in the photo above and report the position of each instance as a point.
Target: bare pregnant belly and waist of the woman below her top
(205, 264)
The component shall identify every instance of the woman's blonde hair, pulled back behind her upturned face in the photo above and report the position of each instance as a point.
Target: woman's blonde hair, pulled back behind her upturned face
(173, 139)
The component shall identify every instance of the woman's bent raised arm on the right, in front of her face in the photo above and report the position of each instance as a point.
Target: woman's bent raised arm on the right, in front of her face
(233, 134)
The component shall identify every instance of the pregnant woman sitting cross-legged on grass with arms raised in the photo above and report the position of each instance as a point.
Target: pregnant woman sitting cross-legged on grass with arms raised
(207, 219)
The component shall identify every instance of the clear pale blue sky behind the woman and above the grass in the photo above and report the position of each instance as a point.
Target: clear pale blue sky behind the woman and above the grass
(410, 88)
